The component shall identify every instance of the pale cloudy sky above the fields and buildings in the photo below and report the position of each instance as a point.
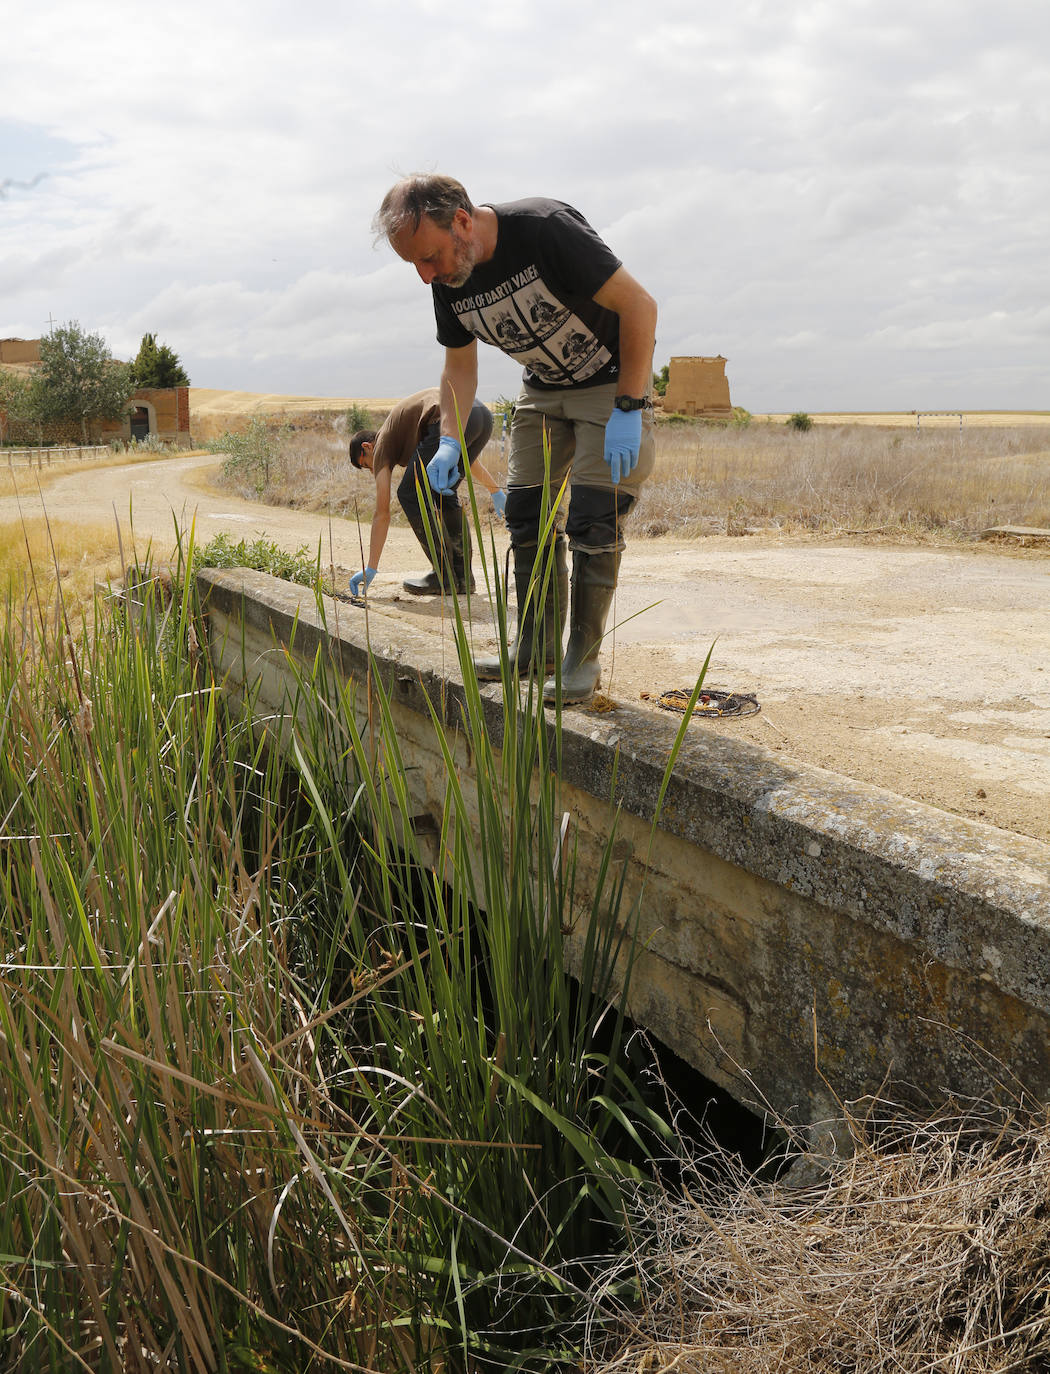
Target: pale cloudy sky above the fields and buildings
(849, 200)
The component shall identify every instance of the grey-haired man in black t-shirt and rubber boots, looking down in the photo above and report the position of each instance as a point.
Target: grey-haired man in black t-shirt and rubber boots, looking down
(534, 280)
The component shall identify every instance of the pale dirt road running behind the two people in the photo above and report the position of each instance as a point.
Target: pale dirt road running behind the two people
(921, 671)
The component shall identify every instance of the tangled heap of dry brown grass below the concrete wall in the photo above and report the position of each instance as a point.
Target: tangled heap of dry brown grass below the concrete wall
(926, 1251)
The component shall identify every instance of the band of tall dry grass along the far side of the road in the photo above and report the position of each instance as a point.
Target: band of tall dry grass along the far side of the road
(937, 486)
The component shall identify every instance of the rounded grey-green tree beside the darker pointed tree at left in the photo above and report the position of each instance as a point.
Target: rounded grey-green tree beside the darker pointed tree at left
(79, 380)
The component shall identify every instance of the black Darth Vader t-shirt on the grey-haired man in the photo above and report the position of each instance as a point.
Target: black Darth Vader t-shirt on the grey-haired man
(534, 300)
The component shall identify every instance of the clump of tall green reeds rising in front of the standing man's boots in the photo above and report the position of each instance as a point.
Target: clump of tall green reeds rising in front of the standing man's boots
(504, 1078)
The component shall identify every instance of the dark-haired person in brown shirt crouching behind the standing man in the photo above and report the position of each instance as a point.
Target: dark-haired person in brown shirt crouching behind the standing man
(409, 439)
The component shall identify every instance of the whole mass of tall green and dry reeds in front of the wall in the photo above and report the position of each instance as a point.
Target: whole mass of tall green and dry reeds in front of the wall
(280, 1086)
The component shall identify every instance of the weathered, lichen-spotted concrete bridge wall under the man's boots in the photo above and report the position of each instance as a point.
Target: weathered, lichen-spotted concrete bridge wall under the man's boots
(805, 936)
